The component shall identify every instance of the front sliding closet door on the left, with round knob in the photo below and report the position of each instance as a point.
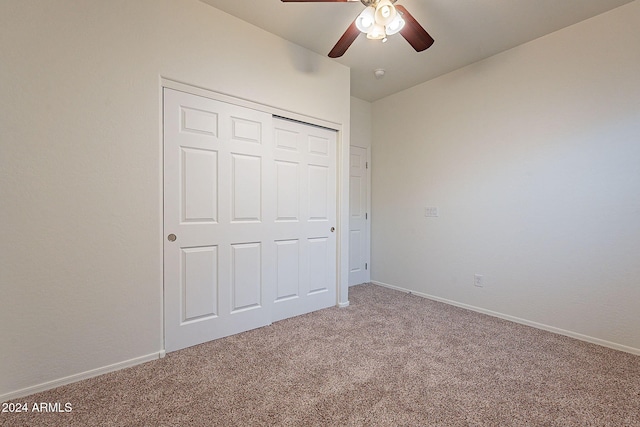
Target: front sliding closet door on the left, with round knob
(218, 199)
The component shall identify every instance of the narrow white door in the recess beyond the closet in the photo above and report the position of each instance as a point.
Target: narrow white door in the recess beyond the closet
(358, 216)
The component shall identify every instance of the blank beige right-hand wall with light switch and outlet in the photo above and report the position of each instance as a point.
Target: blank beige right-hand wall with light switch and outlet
(533, 157)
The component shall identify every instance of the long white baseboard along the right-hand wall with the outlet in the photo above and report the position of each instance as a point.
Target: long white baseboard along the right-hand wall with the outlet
(526, 322)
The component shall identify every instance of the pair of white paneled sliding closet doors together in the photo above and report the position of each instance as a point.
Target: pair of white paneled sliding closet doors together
(249, 205)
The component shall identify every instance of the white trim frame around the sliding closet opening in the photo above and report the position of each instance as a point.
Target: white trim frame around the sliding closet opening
(342, 178)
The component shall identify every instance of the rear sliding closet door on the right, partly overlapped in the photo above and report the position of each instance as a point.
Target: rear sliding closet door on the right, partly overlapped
(304, 226)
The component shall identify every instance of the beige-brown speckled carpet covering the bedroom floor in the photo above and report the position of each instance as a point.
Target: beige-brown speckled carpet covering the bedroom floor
(389, 359)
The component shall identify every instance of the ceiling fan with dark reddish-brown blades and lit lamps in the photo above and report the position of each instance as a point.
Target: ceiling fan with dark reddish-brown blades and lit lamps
(380, 19)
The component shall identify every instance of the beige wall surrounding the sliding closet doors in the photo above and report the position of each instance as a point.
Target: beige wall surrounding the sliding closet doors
(81, 156)
